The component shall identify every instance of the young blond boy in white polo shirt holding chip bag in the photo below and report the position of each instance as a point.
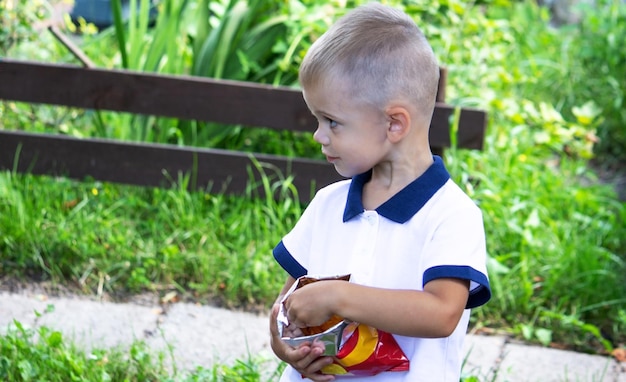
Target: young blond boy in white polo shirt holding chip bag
(411, 240)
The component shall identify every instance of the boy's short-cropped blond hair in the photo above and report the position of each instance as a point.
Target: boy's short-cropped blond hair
(381, 53)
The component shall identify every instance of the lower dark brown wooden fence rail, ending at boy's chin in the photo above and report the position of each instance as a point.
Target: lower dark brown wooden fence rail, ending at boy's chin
(152, 164)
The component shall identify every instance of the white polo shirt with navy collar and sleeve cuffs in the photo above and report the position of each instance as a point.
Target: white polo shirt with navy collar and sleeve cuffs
(428, 230)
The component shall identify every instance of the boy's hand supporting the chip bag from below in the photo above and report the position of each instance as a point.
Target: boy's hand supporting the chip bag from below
(306, 359)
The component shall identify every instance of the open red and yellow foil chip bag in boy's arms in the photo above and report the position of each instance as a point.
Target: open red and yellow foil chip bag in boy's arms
(357, 349)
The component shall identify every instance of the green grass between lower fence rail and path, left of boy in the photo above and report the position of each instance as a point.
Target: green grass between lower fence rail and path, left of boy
(110, 238)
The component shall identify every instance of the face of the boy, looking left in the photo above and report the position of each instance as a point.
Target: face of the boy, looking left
(353, 134)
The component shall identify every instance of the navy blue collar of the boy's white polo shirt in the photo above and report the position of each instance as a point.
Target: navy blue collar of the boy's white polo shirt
(406, 203)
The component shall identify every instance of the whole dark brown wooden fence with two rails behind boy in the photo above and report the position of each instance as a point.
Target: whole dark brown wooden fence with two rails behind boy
(183, 97)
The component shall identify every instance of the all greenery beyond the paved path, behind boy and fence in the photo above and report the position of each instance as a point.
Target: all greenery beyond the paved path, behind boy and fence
(547, 180)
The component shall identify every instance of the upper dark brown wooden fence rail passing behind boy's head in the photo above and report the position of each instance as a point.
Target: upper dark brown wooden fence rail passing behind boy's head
(192, 98)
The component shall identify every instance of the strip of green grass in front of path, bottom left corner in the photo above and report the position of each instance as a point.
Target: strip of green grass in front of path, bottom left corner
(43, 354)
